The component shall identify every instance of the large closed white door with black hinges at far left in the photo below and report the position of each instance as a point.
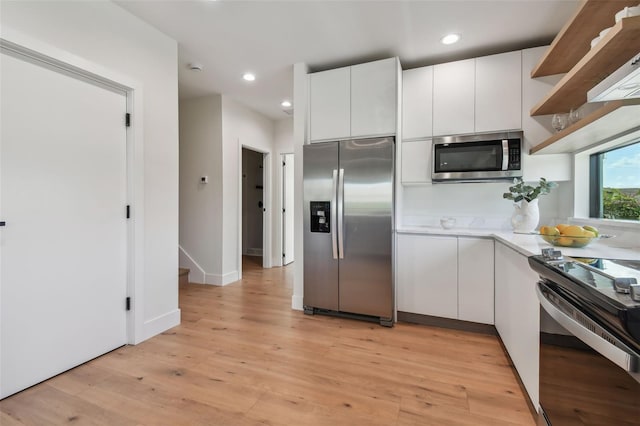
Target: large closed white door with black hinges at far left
(63, 250)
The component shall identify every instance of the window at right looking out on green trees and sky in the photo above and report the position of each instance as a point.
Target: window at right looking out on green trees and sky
(615, 183)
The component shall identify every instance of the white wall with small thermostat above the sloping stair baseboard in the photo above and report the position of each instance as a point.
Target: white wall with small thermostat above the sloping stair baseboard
(201, 204)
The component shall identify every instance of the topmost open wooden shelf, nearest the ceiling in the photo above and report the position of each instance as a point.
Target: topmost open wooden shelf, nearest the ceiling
(574, 40)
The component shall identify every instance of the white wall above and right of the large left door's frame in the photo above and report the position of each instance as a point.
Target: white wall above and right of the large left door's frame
(105, 34)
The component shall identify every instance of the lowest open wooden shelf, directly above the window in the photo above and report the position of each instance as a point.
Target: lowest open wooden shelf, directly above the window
(595, 128)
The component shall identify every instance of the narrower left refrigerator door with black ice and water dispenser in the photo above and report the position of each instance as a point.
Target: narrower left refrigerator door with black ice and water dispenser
(320, 267)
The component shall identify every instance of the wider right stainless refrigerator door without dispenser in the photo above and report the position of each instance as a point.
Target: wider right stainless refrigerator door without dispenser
(366, 270)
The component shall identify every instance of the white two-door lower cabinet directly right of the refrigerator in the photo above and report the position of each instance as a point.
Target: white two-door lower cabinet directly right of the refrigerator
(448, 277)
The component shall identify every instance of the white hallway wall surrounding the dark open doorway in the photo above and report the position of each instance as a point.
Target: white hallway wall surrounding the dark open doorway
(242, 126)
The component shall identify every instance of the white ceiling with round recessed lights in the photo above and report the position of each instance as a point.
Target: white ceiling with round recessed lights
(231, 37)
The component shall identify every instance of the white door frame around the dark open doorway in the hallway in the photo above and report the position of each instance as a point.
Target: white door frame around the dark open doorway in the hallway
(266, 200)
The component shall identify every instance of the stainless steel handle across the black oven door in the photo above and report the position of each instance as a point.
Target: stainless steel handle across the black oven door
(617, 352)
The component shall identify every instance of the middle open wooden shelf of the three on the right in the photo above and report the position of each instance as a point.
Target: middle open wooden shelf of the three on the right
(619, 45)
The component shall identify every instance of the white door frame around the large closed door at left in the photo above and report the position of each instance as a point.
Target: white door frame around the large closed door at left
(18, 44)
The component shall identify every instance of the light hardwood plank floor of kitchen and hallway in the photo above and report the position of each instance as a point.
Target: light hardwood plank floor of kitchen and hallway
(242, 357)
